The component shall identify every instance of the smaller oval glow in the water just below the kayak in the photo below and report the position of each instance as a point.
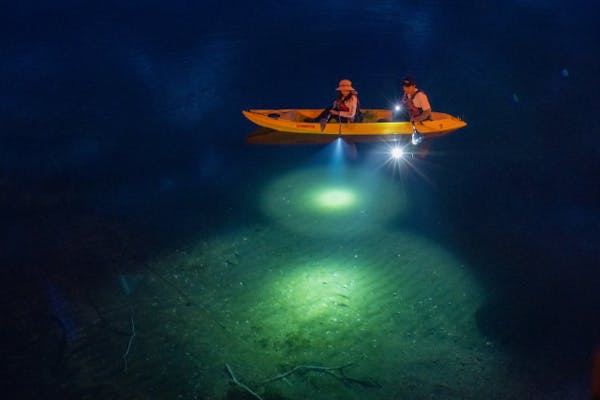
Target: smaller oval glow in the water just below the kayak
(317, 203)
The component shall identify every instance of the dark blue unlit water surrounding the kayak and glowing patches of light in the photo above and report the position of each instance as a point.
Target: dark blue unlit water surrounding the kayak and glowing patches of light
(121, 134)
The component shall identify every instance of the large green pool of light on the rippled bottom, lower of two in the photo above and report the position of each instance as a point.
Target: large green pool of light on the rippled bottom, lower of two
(288, 298)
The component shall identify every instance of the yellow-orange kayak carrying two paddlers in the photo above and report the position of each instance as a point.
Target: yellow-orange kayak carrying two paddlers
(375, 122)
